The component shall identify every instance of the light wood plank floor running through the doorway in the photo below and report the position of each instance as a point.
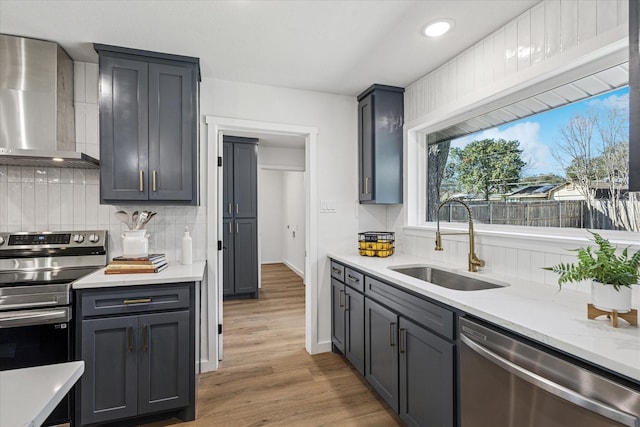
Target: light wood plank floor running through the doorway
(267, 377)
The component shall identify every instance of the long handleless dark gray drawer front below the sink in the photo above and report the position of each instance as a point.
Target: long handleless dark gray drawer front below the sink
(425, 313)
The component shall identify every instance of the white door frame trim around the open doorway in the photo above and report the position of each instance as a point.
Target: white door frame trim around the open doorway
(218, 127)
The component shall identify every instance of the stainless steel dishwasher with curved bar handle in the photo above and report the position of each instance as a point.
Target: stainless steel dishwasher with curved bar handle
(505, 382)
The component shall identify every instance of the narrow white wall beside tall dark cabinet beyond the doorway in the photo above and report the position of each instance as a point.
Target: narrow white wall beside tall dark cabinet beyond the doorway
(271, 212)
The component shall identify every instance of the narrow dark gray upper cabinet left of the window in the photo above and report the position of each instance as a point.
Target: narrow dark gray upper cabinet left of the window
(380, 121)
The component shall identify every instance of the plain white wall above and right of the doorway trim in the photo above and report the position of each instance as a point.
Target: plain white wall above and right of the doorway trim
(336, 164)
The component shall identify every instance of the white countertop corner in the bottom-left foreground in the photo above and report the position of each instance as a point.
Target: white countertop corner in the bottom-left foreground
(28, 395)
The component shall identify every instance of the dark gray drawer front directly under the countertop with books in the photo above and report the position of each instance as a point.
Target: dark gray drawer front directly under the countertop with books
(135, 299)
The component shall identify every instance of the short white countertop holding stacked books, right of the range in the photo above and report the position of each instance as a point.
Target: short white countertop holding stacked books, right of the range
(175, 273)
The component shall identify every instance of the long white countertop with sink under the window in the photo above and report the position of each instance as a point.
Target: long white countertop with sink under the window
(540, 312)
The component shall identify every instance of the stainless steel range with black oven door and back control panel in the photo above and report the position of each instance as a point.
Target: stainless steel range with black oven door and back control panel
(36, 272)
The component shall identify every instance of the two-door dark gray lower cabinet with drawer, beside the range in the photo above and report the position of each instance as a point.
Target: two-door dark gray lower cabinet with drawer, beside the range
(139, 352)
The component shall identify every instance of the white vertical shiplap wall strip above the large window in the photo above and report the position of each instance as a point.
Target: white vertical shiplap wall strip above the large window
(545, 31)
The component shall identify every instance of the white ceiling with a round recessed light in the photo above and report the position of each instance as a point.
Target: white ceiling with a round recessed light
(330, 46)
